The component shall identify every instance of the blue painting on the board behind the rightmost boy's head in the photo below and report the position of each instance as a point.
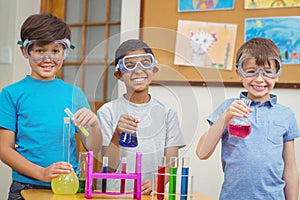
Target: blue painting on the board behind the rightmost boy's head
(284, 31)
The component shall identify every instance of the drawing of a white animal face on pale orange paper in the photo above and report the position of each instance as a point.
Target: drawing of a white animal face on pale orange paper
(204, 44)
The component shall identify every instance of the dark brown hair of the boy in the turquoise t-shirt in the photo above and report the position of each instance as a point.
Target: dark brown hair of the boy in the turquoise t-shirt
(44, 27)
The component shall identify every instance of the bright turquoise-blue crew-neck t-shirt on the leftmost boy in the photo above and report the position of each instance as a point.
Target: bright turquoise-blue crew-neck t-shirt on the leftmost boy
(34, 111)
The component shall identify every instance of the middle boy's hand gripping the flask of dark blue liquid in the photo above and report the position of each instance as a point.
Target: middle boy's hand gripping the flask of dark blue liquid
(127, 124)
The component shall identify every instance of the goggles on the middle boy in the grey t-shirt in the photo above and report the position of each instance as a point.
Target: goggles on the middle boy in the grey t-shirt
(130, 63)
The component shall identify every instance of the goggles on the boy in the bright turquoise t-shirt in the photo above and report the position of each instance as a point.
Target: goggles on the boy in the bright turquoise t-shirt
(36, 52)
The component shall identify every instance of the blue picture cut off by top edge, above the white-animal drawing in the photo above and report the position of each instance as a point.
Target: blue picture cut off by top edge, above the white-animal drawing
(204, 5)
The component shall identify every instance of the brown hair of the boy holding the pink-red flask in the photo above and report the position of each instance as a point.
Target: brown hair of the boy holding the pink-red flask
(260, 48)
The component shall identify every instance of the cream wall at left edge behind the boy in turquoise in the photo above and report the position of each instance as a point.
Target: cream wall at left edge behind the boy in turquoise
(12, 15)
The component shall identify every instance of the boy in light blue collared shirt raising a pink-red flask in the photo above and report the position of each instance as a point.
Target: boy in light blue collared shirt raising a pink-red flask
(263, 164)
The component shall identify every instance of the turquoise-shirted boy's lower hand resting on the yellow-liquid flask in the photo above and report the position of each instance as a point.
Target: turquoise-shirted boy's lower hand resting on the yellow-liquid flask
(55, 170)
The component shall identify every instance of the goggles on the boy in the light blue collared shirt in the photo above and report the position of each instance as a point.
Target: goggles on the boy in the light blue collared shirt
(248, 67)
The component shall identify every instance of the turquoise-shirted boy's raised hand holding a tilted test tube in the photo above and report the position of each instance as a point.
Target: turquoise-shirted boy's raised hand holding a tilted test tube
(85, 117)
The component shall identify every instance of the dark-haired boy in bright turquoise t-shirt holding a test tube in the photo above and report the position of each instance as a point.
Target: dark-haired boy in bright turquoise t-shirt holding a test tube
(32, 110)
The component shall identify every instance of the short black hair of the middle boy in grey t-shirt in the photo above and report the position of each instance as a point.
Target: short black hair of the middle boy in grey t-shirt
(131, 45)
